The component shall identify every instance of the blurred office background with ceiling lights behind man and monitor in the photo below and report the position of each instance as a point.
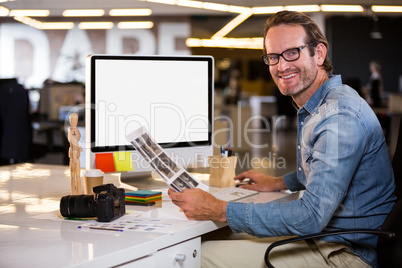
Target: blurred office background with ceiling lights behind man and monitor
(43, 52)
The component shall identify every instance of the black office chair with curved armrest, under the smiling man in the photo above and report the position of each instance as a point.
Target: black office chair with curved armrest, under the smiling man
(389, 243)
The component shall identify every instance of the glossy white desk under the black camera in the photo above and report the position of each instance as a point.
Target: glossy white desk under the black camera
(30, 192)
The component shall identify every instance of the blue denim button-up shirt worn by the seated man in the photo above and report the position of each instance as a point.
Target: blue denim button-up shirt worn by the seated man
(344, 167)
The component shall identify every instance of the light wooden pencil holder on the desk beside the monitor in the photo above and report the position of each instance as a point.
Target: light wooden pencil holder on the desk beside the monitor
(222, 171)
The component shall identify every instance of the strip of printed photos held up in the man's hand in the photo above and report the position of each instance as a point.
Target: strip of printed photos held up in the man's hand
(174, 176)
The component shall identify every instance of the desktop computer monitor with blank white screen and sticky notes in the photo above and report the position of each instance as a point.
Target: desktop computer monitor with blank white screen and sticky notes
(172, 96)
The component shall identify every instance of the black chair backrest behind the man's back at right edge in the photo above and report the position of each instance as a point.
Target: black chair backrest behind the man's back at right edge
(389, 250)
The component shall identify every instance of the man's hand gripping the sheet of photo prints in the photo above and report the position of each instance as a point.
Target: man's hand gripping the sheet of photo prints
(199, 205)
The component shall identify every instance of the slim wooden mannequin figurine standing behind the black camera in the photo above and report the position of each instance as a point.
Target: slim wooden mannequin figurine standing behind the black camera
(74, 136)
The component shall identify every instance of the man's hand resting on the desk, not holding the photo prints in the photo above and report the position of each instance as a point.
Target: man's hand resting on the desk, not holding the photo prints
(261, 182)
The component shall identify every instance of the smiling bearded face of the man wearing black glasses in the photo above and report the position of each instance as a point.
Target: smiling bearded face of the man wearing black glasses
(292, 78)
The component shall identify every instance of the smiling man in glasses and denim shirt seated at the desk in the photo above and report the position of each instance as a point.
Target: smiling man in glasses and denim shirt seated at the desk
(342, 164)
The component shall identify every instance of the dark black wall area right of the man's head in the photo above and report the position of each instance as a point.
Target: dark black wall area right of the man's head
(352, 48)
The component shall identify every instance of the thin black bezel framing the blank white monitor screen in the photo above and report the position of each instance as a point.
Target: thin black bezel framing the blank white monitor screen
(208, 59)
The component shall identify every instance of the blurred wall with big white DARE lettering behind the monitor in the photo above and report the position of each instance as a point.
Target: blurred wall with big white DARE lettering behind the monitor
(34, 55)
